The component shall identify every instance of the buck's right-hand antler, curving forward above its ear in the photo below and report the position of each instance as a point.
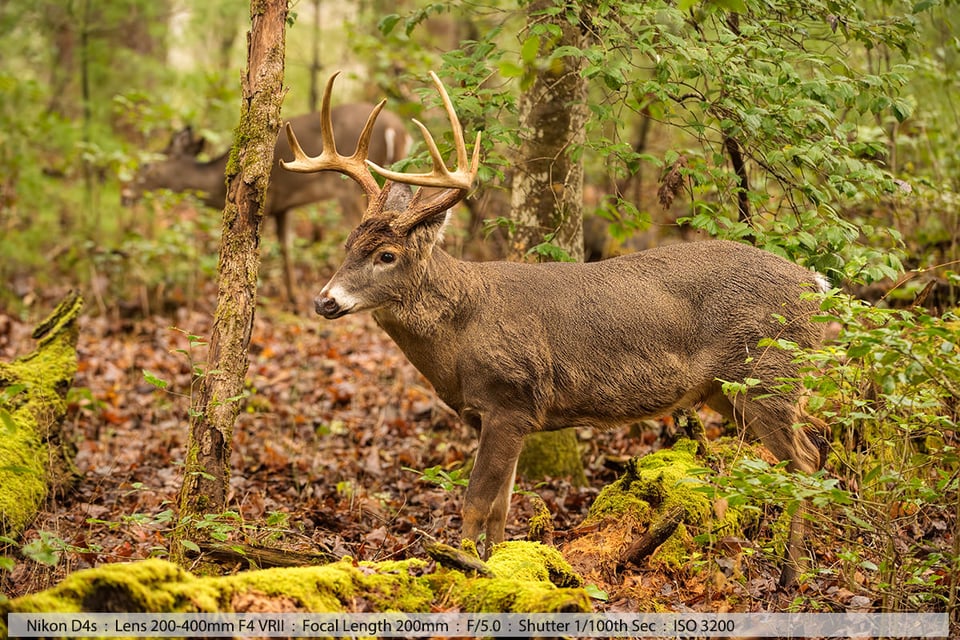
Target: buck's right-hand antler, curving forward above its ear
(462, 178)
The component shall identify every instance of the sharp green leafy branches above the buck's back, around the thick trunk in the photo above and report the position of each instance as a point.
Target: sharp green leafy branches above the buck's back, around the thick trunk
(813, 95)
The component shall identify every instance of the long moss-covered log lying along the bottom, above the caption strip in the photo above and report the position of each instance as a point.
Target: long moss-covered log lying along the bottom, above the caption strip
(526, 577)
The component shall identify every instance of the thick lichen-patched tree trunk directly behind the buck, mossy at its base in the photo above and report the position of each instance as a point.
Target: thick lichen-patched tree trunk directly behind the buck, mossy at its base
(547, 195)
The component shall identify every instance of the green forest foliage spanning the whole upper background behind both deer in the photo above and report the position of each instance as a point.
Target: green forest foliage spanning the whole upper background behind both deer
(844, 121)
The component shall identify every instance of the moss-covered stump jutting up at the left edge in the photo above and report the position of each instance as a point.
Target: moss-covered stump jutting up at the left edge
(35, 456)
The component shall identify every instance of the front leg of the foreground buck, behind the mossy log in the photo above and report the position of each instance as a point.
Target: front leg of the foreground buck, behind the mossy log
(487, 498)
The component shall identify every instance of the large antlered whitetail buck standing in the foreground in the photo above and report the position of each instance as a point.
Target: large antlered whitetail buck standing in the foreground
(521, 348)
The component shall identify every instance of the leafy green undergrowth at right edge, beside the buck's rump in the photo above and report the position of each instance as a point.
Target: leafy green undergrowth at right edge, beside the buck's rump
(887, 384)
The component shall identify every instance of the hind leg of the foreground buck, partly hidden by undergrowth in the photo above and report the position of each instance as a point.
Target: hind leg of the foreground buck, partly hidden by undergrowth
(790, 434)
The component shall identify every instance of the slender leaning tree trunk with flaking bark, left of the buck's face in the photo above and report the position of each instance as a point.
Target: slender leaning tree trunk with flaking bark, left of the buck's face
(216, 403)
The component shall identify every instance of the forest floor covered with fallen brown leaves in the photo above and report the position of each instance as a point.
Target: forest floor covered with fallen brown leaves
(328, 457)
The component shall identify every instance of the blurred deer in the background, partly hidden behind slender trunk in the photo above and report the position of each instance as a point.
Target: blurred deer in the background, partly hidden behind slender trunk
(180, 171)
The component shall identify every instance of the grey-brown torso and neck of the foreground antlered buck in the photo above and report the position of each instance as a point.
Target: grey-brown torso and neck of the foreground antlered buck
(602, 343)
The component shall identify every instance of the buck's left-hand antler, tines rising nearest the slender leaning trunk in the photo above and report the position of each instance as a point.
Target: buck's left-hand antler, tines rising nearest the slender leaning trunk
(329, 159)
